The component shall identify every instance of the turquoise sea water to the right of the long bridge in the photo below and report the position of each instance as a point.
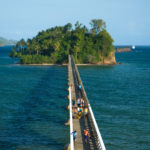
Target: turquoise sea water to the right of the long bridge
(120, 97)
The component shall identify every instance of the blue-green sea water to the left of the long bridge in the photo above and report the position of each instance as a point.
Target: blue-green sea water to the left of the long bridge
(32, 106)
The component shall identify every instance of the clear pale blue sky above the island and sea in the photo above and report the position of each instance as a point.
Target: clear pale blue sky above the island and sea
(127, 20)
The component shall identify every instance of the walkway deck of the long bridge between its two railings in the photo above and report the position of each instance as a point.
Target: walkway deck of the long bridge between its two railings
(84, 123)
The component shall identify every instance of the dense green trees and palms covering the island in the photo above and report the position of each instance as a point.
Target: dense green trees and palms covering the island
(54, 45)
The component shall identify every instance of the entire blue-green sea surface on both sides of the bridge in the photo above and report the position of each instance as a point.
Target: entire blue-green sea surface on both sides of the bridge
(32, 102)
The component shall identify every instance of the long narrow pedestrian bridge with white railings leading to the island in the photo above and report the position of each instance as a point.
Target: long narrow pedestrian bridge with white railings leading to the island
(94, 141)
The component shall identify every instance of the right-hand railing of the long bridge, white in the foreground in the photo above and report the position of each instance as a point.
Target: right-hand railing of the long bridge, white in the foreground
(91, 114)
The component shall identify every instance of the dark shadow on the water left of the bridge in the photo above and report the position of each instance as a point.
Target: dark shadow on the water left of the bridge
(34, 125)
